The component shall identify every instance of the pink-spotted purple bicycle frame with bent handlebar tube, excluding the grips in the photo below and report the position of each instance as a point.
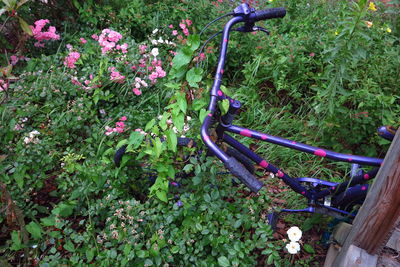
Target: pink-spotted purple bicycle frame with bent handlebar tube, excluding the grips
(224, 126)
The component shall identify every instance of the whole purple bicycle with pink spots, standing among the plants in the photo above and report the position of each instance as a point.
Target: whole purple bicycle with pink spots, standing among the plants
(324, 197)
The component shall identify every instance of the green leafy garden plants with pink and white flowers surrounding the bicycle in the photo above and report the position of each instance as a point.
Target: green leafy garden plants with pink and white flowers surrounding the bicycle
(94, 76)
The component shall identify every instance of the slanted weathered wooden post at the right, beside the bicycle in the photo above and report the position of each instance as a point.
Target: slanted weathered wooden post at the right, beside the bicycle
(380, 213)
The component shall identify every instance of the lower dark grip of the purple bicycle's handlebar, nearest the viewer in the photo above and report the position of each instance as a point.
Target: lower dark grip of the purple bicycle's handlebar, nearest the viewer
(243, 174)
